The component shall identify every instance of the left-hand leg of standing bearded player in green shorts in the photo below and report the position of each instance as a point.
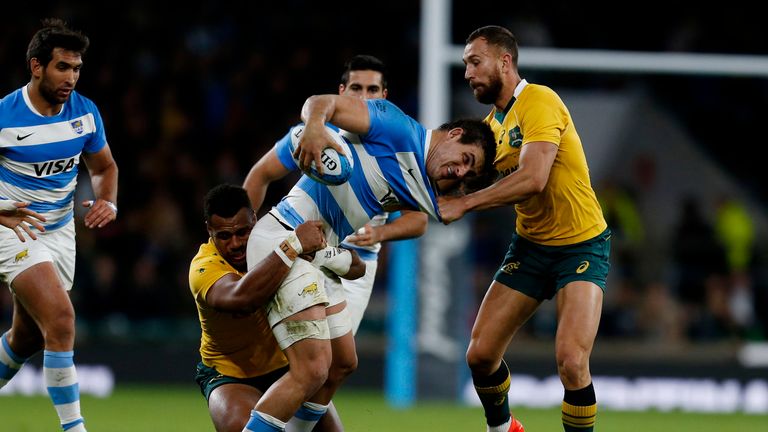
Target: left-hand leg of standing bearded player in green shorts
(501, 314)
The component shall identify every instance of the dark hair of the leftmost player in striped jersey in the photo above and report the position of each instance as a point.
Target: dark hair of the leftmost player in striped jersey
(55, 34)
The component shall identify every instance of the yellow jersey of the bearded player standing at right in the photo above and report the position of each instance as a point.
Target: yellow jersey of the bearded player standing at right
(566, 211)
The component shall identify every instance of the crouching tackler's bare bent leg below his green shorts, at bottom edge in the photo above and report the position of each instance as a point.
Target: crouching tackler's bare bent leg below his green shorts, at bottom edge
(230, 406)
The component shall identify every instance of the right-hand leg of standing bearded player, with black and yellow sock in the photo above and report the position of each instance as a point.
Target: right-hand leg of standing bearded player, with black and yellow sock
(579, 309)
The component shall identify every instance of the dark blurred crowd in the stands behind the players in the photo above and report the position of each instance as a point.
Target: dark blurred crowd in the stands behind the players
(191, 96)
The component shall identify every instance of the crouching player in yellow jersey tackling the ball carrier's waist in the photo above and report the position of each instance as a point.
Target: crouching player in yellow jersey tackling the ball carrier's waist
(240, 357)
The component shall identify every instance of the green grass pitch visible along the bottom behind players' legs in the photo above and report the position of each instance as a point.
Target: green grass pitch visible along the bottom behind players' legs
(170, 409)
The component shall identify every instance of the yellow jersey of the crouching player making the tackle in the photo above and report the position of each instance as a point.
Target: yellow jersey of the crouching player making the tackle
(237, 345)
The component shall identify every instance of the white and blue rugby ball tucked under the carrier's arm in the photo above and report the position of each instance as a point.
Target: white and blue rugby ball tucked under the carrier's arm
(337, 168)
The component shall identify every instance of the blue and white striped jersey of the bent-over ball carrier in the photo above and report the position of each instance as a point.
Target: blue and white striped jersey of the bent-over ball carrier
(390, 173)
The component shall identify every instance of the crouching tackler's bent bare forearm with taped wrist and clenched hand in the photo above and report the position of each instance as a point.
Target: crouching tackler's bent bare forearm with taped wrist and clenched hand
(235, 294)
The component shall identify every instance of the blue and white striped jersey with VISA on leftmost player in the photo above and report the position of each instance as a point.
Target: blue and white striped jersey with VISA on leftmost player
(39, 155)
